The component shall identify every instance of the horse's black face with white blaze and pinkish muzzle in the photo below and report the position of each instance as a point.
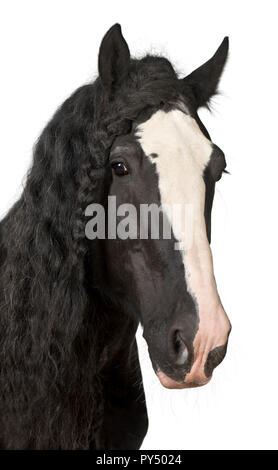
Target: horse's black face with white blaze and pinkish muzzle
(168, 161)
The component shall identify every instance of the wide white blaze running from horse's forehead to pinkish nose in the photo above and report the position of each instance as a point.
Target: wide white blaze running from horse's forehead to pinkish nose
(183, 153)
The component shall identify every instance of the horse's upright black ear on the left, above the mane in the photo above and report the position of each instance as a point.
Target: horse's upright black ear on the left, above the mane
(113, 59)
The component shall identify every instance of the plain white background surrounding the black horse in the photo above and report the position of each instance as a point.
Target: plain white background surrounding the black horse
(49, 48)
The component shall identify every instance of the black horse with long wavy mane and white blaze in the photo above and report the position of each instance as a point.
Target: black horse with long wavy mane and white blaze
(70, 304)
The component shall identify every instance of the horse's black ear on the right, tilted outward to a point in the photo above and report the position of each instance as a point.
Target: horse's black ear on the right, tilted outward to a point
(204, 80)
